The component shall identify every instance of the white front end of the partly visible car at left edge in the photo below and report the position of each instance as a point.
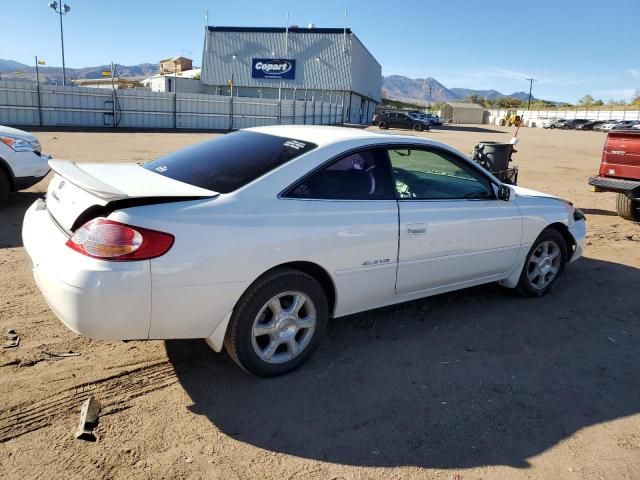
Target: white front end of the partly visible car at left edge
(24, 168)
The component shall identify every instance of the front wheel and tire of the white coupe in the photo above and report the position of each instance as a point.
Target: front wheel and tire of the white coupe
(544, 264)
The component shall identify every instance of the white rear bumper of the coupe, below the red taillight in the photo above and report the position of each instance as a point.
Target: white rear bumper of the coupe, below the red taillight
(94, 298)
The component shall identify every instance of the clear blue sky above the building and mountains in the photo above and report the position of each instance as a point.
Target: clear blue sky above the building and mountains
(573, 47)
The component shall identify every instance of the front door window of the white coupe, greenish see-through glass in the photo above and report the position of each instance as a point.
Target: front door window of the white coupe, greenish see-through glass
(424, 174)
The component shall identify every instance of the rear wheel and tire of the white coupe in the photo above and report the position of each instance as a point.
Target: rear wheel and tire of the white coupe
(267, 335)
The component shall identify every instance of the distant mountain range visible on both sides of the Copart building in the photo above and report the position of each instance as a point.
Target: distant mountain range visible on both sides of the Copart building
(395, 87)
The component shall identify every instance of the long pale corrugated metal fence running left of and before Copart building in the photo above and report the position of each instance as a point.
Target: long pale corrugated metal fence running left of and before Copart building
(138, 108)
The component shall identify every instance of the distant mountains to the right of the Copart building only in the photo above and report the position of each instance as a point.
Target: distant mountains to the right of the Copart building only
(429, 89)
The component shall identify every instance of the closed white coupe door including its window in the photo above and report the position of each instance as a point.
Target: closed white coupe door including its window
(453, 229)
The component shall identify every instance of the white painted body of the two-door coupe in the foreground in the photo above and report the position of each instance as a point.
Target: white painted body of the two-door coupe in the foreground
(223, 242)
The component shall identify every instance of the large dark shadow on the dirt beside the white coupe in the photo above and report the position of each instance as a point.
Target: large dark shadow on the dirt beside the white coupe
(471, 378)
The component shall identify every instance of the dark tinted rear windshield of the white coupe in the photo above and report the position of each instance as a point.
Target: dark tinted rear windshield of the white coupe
(227, 163)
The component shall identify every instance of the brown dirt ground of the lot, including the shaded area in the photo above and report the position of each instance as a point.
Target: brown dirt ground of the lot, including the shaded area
(477, 384)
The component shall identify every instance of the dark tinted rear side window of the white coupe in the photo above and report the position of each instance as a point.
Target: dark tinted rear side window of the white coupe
(363, 175)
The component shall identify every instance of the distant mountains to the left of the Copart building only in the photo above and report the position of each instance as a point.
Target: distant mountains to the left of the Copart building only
(12, 70)
